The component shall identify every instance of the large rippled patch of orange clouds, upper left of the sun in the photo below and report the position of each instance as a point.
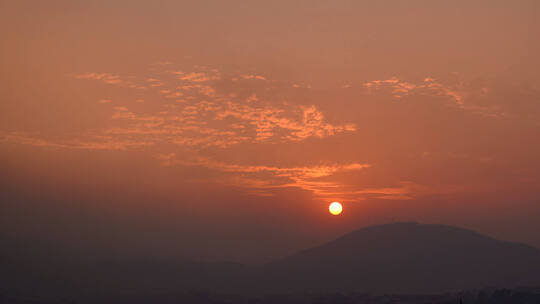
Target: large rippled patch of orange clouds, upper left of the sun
(204, 116)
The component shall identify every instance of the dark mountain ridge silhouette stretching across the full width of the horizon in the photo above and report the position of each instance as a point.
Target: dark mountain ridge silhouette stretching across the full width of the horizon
(395, 258)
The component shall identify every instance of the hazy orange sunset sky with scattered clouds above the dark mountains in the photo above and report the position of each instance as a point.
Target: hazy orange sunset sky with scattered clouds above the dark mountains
(221, 130)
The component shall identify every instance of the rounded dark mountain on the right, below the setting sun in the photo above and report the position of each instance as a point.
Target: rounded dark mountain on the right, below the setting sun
(408, 258)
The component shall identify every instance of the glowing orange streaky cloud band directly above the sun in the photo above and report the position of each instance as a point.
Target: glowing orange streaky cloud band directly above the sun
(320, 180)
